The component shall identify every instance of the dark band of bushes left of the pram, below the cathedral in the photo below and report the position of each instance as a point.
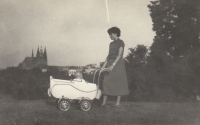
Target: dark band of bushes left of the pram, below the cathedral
(27, 84)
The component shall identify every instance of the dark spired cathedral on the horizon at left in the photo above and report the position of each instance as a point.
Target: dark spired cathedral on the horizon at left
(39, 61)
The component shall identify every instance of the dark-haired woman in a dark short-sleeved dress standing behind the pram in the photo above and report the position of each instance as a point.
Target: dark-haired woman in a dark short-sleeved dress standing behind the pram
(115, 80)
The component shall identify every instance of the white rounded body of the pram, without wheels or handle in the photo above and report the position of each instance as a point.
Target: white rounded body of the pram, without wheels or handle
(76, 89)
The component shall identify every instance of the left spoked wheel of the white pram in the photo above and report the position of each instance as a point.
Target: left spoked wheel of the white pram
(64, 104)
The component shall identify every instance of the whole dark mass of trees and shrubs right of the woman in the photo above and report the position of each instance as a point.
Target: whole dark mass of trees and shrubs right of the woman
(169, 69)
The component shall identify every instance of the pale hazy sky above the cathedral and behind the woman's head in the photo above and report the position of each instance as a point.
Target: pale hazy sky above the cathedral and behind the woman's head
(74, 32)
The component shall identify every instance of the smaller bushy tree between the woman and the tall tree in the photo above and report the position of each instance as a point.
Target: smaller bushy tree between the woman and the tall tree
(135, 71)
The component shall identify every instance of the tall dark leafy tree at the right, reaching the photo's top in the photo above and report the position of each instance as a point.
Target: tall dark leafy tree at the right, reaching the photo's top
(176, 23)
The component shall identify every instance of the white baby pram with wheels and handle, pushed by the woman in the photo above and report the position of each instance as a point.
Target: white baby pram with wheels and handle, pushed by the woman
(66, 91)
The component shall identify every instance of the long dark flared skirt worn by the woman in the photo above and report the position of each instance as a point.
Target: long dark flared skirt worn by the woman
(115, 82)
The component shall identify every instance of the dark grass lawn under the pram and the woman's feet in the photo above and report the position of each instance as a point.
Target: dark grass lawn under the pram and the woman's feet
(14, 112)
